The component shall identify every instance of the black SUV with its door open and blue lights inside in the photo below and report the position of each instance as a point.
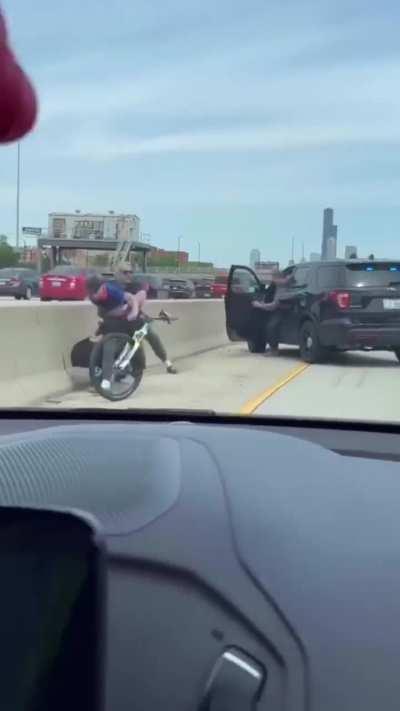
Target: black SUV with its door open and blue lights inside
(339, 305)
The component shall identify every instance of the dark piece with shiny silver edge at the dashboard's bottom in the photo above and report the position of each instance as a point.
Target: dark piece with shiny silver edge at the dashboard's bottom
(235, 684)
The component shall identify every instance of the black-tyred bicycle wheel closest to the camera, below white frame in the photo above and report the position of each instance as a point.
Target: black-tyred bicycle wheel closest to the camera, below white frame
(122, 382)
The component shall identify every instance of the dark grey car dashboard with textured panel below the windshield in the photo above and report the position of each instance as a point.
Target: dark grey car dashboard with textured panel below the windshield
(251, 565)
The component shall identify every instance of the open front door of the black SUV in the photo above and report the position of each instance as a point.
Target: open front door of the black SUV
(243, 321)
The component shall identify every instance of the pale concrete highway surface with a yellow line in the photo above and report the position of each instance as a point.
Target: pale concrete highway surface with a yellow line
(363, 386)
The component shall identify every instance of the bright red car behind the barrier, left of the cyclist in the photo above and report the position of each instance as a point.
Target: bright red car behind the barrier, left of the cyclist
(64, 283)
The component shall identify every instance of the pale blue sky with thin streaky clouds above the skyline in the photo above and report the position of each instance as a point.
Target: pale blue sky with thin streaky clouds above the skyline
(231, 124)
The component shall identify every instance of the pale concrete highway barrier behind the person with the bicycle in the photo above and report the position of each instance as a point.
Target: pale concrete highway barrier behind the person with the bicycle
(37, 340)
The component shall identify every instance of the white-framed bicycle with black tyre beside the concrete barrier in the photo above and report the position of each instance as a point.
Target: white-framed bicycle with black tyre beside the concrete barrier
(122, 355)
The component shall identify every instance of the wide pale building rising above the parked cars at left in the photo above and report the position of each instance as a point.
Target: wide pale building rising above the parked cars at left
(109, 226)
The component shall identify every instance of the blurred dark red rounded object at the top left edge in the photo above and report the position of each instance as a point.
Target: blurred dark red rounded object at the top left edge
(18, 105)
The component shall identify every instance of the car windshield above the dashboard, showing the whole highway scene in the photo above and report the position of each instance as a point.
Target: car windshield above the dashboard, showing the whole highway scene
(230, 166)
